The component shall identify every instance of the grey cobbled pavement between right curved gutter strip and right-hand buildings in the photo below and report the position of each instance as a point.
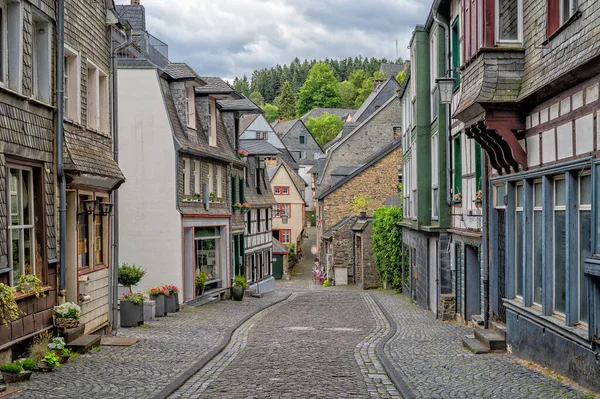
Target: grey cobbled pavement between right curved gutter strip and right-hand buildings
(429, 356)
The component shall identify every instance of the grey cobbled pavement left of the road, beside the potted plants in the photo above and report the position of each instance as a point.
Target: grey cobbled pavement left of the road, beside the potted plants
(168, 346)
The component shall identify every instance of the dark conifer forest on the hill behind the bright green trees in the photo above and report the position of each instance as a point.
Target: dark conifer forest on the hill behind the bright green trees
(269, 81)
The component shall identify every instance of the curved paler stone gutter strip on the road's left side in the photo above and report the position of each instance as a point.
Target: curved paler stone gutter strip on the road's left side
(195, 386)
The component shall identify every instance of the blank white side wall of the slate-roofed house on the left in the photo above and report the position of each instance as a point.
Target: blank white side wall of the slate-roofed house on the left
(147, 203)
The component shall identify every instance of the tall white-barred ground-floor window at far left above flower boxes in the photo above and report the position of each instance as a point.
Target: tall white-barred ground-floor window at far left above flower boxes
(21, 229)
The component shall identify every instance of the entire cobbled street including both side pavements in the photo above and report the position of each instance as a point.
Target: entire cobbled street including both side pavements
(313, 342)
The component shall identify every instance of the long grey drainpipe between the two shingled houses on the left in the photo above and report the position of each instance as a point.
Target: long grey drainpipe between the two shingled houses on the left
(60, 141)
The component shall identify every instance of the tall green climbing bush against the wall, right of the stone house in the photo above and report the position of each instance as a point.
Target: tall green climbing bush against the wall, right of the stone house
(387, 245)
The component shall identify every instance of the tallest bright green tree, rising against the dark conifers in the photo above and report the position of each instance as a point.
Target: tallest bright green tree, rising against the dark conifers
(319, 90)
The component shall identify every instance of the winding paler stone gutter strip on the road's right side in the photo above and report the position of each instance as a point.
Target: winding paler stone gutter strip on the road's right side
(378, 383)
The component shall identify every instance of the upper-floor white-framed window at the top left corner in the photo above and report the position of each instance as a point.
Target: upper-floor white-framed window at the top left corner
(12, 44)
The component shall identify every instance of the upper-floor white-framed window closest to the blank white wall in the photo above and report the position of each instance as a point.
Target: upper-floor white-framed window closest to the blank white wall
(97, 98)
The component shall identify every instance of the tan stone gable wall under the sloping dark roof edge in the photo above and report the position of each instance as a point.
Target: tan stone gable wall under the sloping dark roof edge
(376, 183)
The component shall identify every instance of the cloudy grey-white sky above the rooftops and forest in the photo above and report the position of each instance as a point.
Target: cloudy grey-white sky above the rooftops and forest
(228, 38)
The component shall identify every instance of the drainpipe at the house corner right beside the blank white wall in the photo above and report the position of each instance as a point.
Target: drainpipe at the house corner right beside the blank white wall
(115, 194)
